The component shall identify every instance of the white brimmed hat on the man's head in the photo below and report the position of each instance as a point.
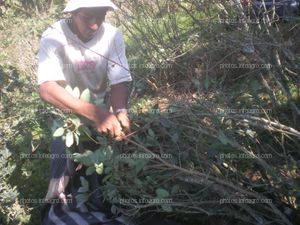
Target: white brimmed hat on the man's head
(76, 4)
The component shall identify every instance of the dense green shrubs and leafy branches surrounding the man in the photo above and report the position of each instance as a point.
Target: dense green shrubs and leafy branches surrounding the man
(215, 95)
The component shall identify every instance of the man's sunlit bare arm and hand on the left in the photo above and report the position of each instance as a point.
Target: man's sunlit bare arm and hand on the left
(57, 96)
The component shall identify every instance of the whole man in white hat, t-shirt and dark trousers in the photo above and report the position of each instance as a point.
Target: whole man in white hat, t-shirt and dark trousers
(85, 52)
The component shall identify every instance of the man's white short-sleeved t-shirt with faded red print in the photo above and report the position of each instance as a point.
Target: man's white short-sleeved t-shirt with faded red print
(93, 65)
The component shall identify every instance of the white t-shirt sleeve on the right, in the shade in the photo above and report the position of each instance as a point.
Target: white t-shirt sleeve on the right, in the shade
(118, 69)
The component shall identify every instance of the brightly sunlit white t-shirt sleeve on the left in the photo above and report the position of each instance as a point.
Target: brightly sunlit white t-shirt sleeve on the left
(49, 62)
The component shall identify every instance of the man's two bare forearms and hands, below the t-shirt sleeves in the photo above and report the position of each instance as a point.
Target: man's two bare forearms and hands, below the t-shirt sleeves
(104, 121)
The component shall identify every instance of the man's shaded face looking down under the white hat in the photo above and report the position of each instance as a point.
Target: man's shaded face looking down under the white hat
(87, 21)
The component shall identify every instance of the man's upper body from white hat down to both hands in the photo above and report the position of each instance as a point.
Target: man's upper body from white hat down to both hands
(91, 52)
